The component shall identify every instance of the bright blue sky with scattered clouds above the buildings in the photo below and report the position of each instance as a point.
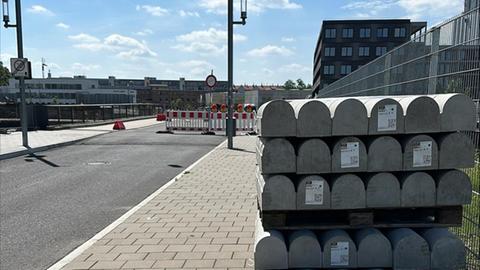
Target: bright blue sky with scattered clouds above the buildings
(169, 39)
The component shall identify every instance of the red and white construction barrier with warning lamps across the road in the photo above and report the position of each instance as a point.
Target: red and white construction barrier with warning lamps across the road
(204, 121)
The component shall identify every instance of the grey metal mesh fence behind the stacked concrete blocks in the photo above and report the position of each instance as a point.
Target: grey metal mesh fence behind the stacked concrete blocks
(445, 59)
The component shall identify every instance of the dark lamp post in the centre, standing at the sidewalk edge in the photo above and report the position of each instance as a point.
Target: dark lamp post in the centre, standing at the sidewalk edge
(231, 22)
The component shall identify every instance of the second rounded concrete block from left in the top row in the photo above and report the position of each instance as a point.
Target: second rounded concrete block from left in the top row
(313, 118)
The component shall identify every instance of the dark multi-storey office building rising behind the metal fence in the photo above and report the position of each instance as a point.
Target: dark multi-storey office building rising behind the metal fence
(344, 46)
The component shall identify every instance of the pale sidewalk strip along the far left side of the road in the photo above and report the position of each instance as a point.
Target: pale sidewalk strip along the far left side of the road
(12, 143)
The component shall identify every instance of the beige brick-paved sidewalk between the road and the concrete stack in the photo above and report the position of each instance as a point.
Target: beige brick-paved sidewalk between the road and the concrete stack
(203, 220)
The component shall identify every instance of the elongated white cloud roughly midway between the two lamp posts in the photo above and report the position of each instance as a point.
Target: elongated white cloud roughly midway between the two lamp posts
(123, 46)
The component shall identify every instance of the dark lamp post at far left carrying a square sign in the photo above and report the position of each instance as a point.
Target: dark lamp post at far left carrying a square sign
(18, 26)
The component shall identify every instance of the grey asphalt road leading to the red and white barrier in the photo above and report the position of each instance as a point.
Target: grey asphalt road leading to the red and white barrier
(52, 203)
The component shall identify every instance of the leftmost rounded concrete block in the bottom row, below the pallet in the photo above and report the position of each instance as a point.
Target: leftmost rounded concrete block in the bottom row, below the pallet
(270, 249)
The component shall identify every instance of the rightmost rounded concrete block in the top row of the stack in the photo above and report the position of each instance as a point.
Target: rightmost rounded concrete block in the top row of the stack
(457, 112)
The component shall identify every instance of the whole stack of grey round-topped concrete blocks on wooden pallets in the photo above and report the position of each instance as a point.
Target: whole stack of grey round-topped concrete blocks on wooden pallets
(334, 173)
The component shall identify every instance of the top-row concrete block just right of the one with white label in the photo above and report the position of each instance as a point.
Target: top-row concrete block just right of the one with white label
(422, 114)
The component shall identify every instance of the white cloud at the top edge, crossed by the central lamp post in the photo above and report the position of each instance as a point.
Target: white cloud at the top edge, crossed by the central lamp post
(257, 6)
